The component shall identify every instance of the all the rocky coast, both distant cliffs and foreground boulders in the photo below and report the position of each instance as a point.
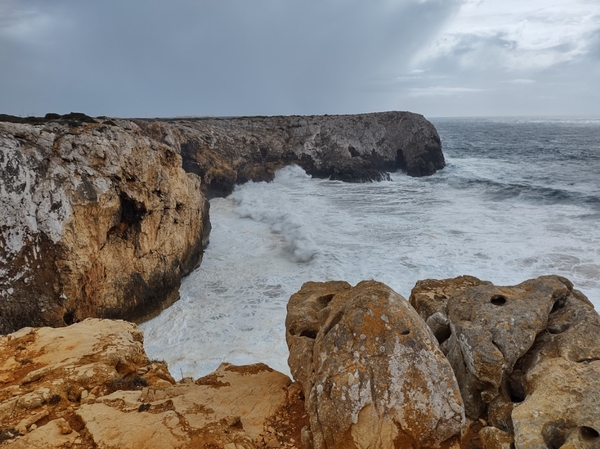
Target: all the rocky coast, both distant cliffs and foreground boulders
(101, 219)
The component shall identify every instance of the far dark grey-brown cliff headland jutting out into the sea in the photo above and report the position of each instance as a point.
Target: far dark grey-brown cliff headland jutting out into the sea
(362, 147)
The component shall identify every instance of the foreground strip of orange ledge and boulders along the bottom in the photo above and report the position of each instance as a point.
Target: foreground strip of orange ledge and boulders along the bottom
(461, 364)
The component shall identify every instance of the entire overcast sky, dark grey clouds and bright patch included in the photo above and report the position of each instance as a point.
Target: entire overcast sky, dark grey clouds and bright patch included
(149, 58)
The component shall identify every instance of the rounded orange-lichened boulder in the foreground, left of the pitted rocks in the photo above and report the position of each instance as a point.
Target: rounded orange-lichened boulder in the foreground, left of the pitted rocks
(372, 373)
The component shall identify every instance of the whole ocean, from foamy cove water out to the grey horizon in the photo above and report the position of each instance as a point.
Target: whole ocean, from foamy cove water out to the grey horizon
(519, 198)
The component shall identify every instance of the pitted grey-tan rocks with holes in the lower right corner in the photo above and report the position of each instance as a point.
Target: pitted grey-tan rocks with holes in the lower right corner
(527, 357)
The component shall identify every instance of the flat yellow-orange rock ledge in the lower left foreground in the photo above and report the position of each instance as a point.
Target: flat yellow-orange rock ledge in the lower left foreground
(90, 385)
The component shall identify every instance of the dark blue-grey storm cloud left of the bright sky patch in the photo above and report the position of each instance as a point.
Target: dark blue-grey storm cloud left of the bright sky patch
(206, 57)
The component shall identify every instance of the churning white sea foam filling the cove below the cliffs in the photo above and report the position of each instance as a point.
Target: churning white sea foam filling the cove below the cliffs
(269, 238)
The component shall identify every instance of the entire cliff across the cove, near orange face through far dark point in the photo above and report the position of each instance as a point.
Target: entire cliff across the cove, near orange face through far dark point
(101, 217)
